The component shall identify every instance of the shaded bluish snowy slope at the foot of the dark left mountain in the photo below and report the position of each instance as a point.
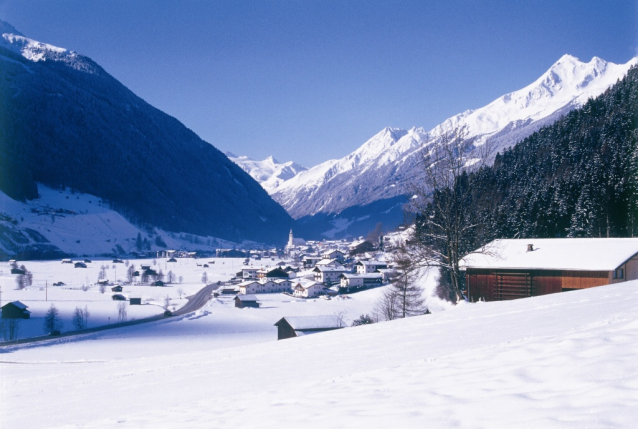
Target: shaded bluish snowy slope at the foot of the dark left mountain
(65, 222)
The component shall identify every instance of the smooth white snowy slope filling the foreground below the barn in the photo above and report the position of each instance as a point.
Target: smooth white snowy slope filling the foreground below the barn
(556, 361)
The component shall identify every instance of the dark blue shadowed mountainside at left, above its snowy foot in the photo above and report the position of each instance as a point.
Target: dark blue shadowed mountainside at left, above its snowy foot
(65, 122)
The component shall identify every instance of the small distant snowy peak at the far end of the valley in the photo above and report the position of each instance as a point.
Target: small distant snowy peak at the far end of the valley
(270, 173)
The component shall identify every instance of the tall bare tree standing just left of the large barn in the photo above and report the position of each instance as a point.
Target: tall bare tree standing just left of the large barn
(446, 227)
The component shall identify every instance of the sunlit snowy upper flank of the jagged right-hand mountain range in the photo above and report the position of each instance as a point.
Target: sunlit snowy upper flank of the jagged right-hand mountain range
(383, 166)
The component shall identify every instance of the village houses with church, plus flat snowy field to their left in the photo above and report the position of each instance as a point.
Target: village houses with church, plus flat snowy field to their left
(118, 290)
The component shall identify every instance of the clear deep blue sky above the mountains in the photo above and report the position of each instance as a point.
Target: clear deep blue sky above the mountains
(313, 80)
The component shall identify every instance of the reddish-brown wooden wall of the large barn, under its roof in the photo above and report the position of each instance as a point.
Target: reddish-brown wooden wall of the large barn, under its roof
(482, 284)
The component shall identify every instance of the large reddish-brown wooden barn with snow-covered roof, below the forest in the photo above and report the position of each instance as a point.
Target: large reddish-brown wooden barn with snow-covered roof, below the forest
(511, 269)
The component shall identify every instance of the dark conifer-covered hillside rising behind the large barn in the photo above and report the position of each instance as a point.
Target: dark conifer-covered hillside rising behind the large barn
(575, 178)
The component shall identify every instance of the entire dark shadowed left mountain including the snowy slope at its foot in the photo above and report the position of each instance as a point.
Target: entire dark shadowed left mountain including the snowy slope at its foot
(68, 127)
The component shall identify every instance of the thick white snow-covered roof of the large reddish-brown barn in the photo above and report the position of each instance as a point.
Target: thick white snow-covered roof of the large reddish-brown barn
(583, 254)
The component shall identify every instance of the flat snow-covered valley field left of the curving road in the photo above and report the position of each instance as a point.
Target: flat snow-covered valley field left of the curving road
(81, 290)
